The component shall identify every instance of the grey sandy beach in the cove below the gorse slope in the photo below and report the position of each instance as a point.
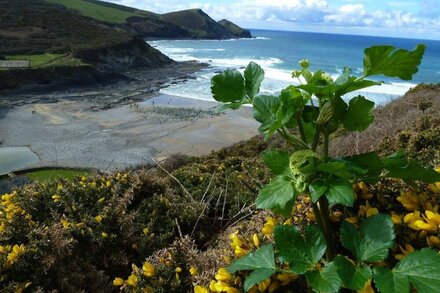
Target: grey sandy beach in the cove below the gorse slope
(120, 131)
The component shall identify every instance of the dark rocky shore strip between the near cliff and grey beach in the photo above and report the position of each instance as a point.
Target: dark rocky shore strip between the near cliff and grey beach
(138, 84)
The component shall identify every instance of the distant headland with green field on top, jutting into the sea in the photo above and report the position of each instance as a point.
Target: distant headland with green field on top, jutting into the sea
(192, 23)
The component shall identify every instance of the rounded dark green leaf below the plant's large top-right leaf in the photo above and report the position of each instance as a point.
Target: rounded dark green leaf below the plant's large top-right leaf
(359, 114)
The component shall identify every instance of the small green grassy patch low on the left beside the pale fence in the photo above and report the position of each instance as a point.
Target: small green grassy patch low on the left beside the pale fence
(45, 60)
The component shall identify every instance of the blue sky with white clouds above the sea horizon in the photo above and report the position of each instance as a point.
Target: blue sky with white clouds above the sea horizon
(407, 19)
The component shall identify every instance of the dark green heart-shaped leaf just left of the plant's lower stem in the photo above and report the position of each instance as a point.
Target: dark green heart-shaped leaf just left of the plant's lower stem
(301, 253)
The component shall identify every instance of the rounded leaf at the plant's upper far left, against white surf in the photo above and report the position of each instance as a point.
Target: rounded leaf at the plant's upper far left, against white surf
(228, 87)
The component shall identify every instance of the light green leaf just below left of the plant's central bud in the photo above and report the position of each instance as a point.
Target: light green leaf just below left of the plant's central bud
(276, 195)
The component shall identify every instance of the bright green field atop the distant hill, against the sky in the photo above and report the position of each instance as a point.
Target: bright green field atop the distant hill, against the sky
(96, 11)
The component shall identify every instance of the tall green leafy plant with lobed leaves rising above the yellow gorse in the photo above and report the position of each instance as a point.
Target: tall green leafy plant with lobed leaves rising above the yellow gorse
(305, 116)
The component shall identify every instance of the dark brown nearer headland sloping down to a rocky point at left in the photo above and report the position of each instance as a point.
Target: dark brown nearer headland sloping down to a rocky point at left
(38, 27)
